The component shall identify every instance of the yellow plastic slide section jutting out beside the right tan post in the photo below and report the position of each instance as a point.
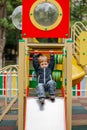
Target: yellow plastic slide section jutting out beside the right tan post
(77, 72)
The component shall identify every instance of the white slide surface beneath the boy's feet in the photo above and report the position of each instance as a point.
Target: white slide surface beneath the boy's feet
(50, 116)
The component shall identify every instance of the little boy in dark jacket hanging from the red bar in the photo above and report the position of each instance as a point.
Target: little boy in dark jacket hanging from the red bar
(44, 70)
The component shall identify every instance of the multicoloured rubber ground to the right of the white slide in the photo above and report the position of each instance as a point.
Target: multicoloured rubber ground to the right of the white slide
(79, 112)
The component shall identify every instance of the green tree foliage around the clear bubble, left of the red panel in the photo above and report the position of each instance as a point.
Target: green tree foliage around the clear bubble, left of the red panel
(12, 33)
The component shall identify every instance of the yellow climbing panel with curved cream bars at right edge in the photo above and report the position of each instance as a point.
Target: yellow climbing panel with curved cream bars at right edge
(79, 36)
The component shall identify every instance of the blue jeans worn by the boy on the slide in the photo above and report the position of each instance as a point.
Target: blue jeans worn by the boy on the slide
(49, 87)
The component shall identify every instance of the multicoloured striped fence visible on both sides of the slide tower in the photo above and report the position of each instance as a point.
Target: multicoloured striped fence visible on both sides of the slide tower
(9, 83)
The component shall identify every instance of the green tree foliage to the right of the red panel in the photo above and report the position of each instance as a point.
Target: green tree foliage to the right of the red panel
(78, 11)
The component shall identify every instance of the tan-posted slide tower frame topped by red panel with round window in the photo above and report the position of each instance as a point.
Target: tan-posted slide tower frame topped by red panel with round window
(44, 18)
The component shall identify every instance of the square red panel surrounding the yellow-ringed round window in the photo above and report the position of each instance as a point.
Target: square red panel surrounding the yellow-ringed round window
(31, 31)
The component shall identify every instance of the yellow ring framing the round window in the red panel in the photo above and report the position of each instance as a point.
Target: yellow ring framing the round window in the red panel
(47, 27)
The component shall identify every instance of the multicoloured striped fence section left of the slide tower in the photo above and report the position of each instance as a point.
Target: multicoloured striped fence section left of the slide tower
(9, 81)
